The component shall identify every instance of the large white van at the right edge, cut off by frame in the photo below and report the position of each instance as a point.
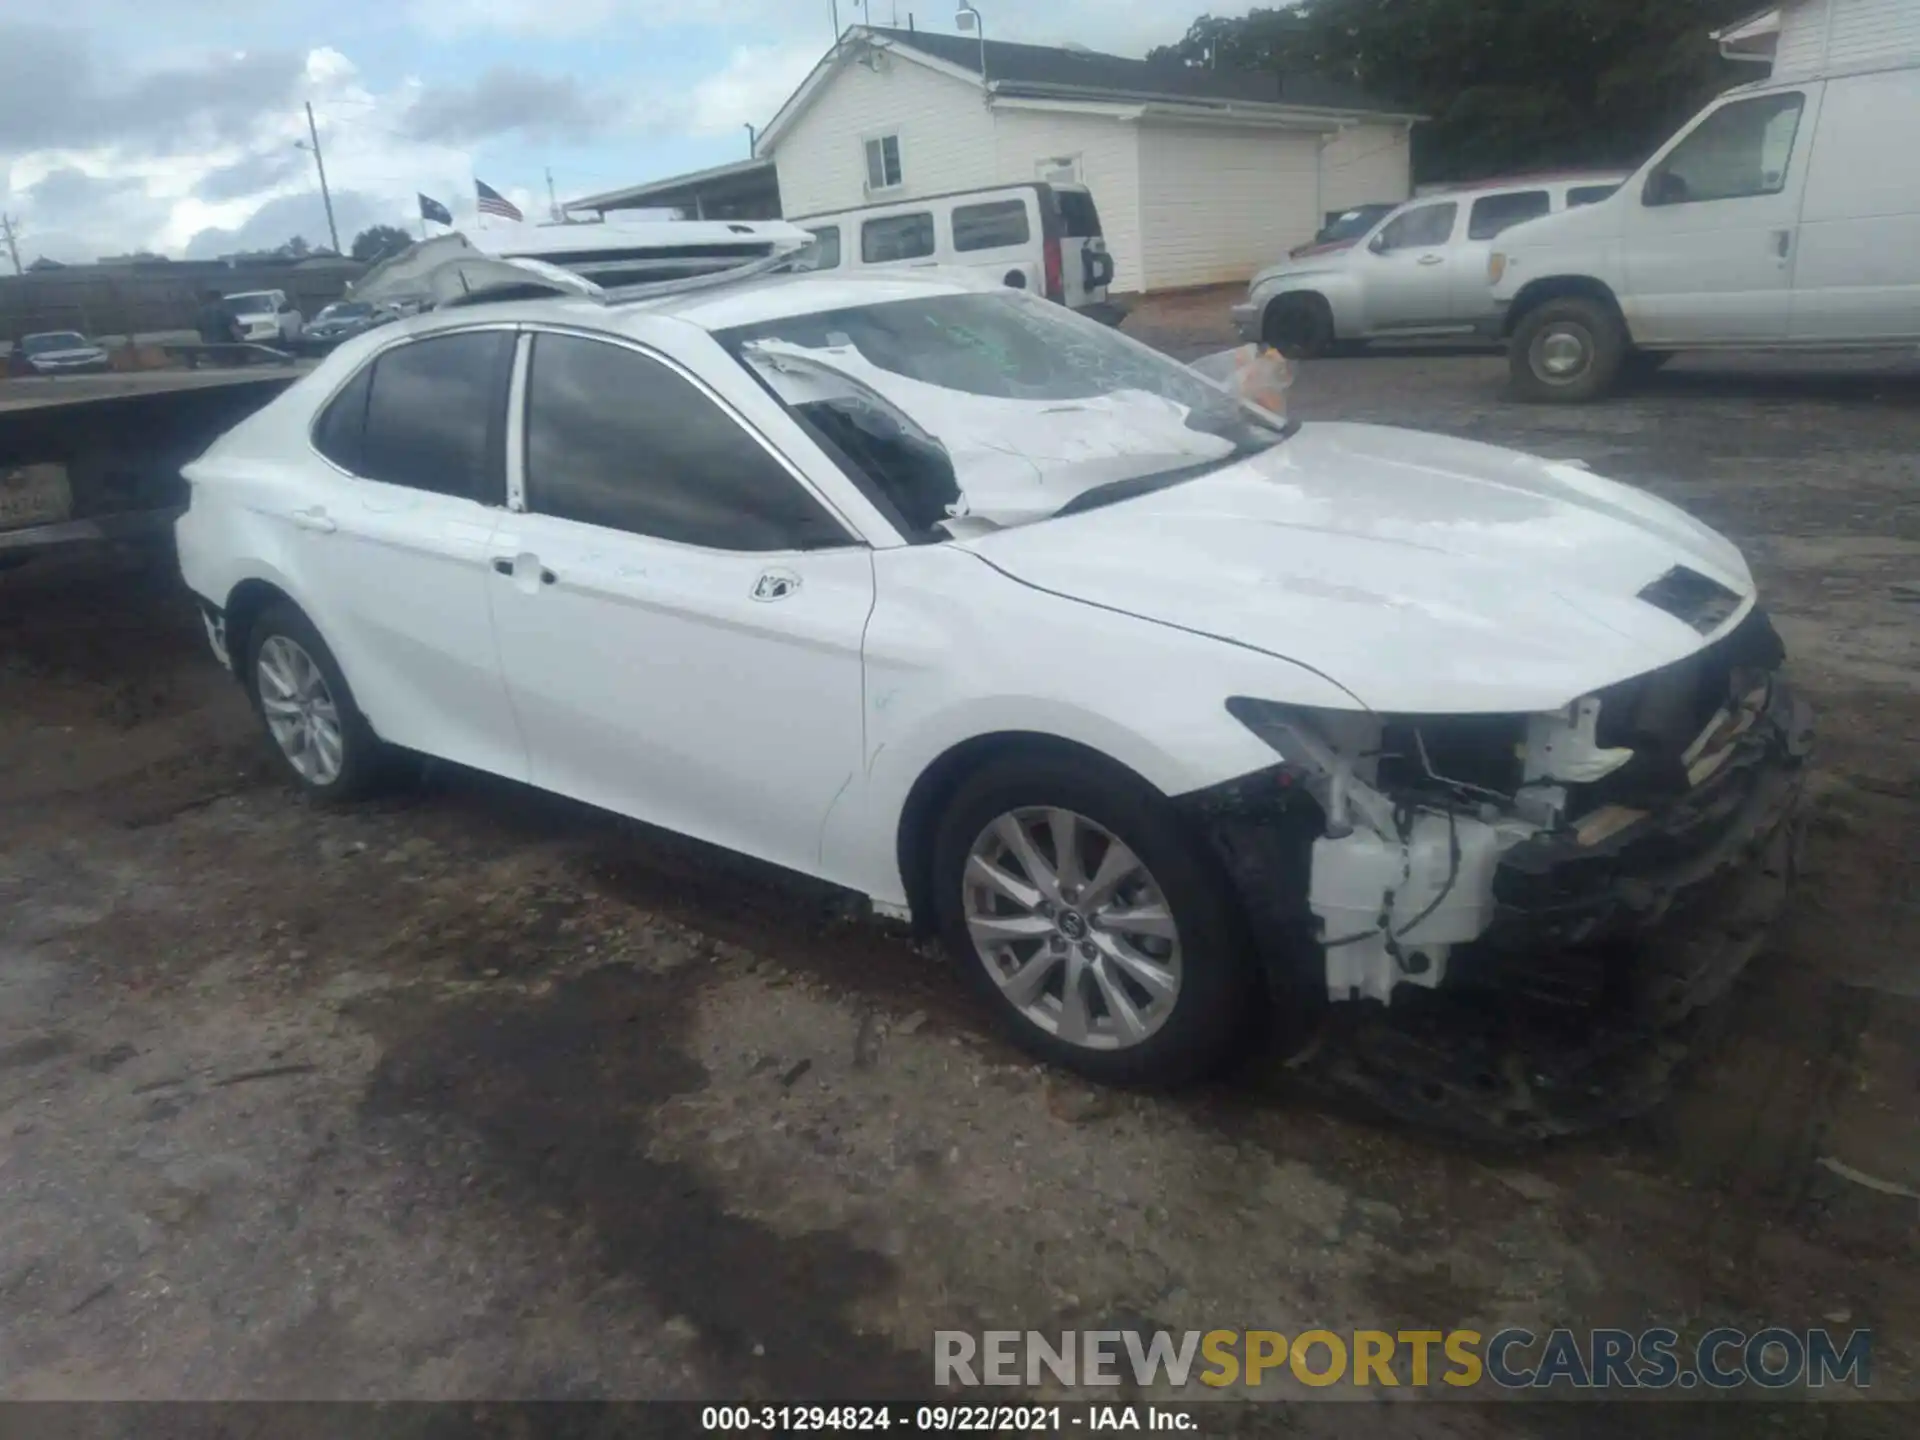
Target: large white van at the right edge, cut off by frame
(1785, 216)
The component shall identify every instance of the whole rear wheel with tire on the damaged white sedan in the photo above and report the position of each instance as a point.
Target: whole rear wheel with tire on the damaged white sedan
(304, 704)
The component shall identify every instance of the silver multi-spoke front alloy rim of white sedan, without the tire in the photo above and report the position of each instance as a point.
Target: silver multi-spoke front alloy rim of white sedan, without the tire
(1074, 928)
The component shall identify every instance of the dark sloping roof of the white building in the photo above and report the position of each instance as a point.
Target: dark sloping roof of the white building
(1093, 76)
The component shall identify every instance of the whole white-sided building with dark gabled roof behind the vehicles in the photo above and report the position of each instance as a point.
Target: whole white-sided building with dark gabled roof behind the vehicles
(1199, 176)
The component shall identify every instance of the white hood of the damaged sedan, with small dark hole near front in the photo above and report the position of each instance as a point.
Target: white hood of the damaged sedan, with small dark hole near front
(1416, 571)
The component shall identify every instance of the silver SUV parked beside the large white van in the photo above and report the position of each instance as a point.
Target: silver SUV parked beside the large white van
(1420, 272)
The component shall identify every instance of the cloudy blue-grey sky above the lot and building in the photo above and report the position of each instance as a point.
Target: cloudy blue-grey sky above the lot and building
(172, 124)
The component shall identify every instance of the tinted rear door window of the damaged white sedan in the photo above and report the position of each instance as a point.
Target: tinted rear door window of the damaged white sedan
(437, 416)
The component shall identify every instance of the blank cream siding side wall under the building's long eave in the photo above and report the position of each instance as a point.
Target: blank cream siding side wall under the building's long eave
(1216, 204)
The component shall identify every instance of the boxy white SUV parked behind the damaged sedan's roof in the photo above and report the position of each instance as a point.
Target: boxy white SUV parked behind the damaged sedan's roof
(1034, 237)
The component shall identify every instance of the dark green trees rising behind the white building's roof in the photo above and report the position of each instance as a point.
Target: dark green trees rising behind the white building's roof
(1508, 85)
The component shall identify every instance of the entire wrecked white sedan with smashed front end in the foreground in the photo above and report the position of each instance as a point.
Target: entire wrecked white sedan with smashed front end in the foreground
(1170, 715)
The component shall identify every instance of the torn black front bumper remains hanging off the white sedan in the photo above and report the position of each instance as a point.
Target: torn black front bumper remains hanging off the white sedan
(1600, 971)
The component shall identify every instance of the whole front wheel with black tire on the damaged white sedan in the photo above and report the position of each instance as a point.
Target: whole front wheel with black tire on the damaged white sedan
(1093, 923)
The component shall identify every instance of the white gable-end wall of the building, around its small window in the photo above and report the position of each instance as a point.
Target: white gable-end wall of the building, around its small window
(946, 137)
